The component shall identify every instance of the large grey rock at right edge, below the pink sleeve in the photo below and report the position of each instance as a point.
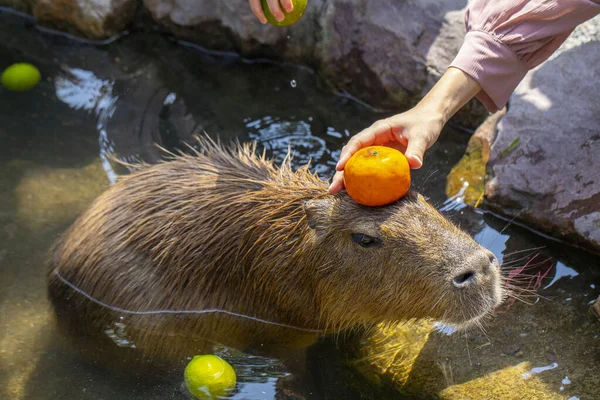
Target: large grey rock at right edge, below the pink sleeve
(551, 181)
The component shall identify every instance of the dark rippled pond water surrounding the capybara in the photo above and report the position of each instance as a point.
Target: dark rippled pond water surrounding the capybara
(120, 97)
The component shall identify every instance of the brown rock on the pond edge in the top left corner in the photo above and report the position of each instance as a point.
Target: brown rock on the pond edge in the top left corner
(94, 19)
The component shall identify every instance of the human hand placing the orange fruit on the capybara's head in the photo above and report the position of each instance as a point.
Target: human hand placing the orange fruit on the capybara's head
(411, 132)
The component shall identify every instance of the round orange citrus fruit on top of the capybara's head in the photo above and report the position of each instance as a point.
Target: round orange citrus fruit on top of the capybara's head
(377, 175)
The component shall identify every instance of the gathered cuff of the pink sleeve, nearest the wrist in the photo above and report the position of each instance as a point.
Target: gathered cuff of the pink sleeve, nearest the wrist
(493, 65)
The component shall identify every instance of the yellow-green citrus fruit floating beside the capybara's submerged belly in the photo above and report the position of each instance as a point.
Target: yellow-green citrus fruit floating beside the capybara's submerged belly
(209, 377)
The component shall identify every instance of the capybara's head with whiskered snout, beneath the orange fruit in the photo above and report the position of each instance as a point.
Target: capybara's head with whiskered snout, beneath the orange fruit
(400, 262)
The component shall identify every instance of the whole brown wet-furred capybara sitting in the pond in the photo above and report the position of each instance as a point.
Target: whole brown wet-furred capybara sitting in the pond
(223, 246)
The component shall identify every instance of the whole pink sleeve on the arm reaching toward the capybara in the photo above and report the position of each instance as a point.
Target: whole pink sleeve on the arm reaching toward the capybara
(506, 38)
